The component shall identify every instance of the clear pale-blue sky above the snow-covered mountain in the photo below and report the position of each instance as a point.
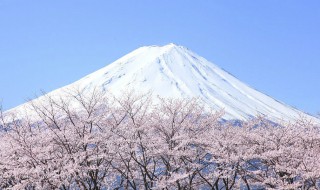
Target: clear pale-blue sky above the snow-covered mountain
(274, 46)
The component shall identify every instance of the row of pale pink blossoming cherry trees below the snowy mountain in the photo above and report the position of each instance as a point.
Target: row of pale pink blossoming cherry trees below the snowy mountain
(98, 141)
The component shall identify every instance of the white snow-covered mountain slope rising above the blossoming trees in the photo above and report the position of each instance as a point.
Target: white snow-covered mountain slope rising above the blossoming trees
(175, 71)
